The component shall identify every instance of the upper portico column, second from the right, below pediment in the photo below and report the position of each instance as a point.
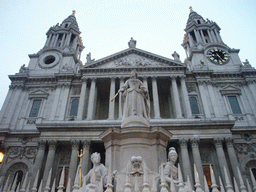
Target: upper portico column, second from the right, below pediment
(176, 98)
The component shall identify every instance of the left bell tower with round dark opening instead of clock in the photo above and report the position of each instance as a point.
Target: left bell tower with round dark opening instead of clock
(62, 50)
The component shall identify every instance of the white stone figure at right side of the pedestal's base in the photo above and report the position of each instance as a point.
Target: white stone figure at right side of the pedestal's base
(169, 167)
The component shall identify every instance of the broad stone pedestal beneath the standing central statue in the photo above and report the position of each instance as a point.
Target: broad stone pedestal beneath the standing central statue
(123, 143)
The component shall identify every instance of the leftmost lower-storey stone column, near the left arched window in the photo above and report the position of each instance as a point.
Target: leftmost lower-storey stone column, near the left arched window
(38, 161)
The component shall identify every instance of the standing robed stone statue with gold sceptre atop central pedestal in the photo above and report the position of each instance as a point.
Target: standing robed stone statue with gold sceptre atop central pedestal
(135, 103)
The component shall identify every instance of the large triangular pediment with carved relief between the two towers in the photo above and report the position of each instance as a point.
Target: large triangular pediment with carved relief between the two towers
(134, 57)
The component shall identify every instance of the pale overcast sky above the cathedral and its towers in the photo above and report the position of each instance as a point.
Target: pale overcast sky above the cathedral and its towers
(107, 26)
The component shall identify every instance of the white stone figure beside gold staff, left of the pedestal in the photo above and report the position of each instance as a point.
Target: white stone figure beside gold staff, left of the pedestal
(97, 176)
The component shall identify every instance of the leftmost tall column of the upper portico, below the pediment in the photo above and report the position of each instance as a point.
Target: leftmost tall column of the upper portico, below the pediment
(81, 106)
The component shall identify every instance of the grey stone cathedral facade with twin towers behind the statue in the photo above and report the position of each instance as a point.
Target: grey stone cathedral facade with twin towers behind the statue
(204, 107)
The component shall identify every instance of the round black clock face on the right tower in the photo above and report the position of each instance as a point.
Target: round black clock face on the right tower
(217, 56)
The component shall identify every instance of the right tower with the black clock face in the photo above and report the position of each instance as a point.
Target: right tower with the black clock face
(205, 49)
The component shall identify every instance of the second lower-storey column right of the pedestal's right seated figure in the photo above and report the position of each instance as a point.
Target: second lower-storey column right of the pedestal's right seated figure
(197, 159)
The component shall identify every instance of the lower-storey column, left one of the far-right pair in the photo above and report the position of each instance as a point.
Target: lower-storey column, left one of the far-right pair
(221, 158)
